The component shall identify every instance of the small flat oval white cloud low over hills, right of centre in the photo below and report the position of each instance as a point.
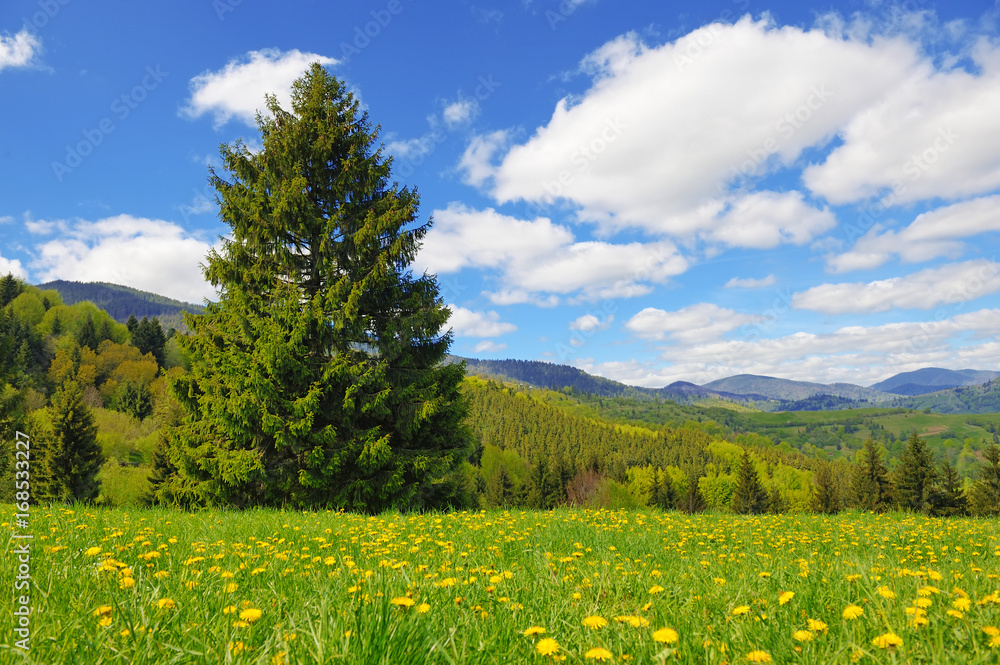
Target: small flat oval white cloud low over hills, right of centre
(703, 321)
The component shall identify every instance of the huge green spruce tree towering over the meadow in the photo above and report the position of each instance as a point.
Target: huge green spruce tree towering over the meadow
(319, 377)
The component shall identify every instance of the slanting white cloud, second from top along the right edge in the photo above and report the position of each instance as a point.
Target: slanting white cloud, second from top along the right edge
(931, 235)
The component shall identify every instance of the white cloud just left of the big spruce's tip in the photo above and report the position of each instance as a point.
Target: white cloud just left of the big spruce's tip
(238, 89)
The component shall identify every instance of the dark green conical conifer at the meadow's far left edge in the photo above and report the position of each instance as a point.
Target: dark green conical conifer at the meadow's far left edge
(71, 456)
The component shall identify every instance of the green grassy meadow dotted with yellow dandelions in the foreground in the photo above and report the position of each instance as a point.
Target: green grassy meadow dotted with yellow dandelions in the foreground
(574, 586)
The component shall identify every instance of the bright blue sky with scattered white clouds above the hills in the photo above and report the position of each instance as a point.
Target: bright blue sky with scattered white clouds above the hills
(649, 191)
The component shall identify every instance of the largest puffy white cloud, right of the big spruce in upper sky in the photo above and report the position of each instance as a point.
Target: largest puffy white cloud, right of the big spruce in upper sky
(663, 132)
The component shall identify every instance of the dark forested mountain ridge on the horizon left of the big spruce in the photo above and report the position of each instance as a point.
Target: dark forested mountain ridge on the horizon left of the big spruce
(122, 301)
